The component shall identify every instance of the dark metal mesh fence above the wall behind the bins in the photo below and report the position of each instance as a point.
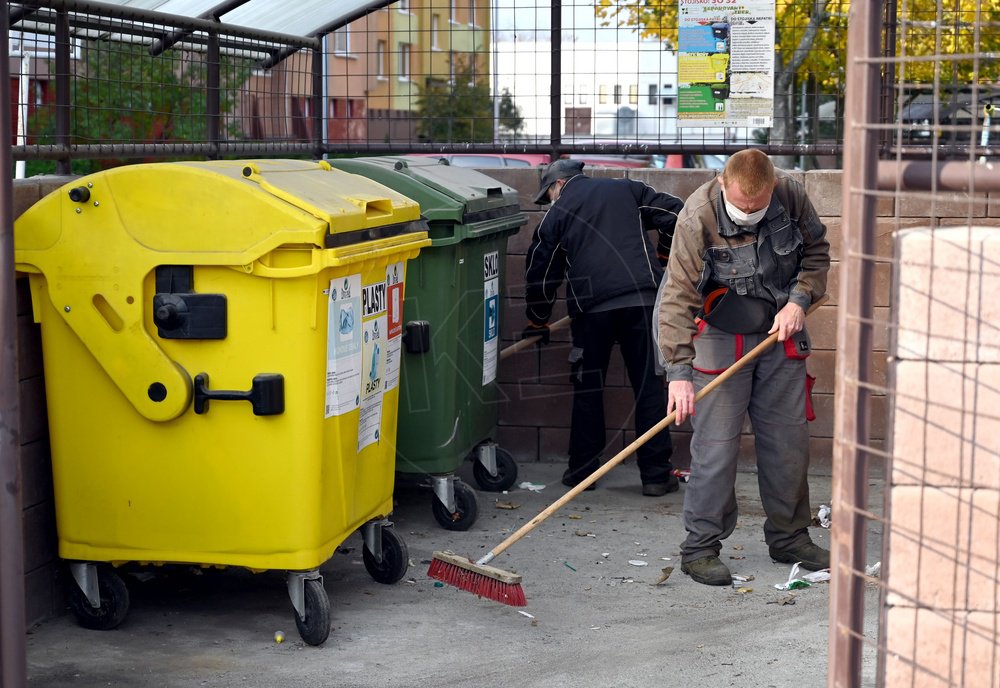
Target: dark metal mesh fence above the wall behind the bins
(436, 76)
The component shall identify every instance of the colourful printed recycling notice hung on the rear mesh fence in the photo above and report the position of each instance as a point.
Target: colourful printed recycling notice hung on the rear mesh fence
(725, 63)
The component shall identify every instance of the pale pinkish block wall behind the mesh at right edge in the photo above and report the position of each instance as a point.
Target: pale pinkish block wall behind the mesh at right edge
(943, 591)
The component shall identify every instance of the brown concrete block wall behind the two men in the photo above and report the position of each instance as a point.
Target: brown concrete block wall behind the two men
(534, 419)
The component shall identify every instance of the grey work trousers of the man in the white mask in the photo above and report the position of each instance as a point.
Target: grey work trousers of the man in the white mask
(772, 389)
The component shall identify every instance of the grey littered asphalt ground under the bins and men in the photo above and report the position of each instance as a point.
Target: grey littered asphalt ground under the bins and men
(598, 613)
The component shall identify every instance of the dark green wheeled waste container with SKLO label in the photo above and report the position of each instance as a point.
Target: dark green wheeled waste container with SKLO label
(448, 401)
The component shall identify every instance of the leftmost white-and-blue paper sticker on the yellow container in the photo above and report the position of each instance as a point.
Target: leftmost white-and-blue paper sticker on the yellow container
(343, 346)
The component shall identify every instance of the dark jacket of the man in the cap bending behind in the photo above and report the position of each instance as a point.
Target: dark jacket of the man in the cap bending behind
(594, 237)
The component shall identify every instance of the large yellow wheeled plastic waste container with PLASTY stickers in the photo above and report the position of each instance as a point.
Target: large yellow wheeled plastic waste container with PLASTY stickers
(221, 345)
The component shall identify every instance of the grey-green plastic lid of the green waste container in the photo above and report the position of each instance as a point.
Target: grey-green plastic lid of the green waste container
(456, 194)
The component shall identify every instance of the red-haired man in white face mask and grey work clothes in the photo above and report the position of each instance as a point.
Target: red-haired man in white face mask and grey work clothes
(749, 257)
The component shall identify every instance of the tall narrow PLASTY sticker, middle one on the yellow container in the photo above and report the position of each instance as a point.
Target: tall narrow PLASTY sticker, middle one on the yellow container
(374, 300)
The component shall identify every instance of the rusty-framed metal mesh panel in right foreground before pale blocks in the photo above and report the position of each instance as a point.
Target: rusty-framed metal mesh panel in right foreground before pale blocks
(917, 328)
